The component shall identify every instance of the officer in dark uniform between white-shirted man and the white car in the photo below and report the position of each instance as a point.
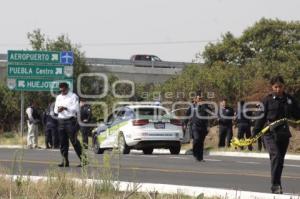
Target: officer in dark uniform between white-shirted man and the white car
(85, 117)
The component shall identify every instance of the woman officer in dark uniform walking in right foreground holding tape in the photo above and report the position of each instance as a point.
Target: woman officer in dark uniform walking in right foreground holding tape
(277, 105)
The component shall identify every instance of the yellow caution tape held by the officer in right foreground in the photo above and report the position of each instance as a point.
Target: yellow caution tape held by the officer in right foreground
(235, 142)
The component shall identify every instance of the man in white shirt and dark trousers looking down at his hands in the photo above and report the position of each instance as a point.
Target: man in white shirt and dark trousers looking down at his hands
(67, 108)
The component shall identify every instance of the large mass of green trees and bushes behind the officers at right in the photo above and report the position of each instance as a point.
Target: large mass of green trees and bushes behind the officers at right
(233, 65)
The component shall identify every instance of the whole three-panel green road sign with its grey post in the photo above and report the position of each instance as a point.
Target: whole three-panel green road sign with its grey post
(38, 71)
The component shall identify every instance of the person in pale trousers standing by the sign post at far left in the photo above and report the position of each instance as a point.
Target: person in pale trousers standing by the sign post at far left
(32, 123)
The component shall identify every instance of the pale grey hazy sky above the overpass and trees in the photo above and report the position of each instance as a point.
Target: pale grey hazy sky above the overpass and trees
(174, 30)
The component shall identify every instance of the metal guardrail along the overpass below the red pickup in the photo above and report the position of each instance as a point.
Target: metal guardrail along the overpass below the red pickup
(104, 61)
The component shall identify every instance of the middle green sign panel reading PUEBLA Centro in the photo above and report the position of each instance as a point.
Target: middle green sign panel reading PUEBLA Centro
(36, 71)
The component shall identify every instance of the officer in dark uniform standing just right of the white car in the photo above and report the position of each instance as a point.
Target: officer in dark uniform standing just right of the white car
(199, 123)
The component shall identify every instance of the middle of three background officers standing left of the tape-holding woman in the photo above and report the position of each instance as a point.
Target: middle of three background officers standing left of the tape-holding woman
(244, 123)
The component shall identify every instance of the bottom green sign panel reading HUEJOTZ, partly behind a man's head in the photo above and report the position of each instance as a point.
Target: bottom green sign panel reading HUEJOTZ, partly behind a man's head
(23, 84)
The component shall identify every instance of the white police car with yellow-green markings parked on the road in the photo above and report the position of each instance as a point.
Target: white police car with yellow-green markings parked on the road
(141, 127)
